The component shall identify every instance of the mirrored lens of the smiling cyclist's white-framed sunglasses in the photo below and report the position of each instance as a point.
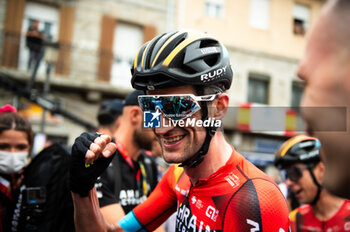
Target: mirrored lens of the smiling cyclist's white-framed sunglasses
(173, 107)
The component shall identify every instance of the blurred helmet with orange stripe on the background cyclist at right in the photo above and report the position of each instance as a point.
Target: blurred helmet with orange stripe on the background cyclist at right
(298, 149)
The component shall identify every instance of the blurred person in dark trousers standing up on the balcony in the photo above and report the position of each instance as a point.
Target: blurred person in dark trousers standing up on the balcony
(34, 42)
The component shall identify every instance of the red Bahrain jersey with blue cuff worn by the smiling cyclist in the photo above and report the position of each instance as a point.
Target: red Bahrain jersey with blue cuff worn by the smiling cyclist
(237, 197)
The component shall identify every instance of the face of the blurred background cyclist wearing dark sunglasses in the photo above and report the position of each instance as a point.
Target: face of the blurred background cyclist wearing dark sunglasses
(304, 189)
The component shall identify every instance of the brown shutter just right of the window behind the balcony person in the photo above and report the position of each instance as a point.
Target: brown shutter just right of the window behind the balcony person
(65, 39)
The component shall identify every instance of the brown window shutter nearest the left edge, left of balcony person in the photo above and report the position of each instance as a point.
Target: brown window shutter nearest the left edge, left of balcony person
(13, 25)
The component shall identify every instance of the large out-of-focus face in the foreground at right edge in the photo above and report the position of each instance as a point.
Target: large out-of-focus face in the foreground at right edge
(326, 72)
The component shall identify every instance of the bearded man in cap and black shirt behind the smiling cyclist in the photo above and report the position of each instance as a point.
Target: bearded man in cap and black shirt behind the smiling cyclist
(132, 175)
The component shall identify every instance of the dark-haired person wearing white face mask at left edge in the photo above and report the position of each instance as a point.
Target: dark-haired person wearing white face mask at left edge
(16, 141)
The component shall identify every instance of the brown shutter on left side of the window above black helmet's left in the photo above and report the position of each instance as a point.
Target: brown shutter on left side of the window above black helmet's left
(106, 48)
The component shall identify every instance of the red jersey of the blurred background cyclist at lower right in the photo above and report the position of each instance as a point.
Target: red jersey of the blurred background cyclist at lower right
(303, 219)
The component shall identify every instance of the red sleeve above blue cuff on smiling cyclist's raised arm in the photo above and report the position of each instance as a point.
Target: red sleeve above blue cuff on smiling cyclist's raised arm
(161, 204)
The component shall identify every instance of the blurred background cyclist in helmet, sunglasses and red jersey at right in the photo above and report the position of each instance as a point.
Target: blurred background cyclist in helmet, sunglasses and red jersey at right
(322, 211)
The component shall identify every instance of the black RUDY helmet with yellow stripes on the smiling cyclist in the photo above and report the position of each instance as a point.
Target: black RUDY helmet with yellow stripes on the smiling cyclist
(181, 58)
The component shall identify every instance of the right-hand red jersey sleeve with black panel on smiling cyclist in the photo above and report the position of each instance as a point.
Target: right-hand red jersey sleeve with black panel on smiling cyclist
(257, 206)
